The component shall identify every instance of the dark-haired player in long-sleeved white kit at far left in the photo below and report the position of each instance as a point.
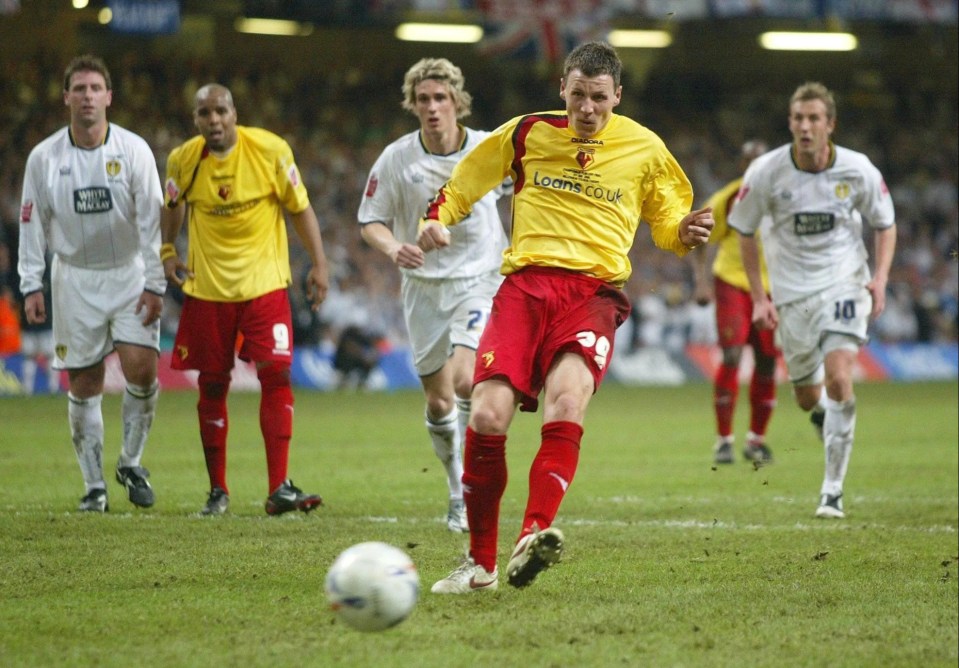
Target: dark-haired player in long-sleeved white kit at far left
(92, 198)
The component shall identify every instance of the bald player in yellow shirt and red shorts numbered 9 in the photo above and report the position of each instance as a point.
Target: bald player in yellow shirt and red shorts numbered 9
(233, 184)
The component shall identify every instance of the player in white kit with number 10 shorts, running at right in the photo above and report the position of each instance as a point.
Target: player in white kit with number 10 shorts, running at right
(817, 195)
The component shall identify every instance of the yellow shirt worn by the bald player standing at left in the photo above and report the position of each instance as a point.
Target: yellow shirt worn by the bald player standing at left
(238, 247)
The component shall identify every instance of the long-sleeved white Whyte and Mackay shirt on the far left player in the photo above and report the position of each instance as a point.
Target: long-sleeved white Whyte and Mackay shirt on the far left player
(93, 208)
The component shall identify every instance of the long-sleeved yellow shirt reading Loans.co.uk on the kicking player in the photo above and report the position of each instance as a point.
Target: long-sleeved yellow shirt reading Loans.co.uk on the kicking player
(577, 202)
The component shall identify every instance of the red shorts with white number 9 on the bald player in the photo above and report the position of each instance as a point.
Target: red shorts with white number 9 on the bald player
(207, 337)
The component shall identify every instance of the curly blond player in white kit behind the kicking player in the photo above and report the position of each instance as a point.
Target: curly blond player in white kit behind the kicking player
(447, 295)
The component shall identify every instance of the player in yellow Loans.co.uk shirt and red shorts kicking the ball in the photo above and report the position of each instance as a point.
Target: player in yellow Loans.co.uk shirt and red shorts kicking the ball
(583, 179)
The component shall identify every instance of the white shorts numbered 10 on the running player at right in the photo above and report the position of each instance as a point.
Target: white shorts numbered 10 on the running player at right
(813, 326)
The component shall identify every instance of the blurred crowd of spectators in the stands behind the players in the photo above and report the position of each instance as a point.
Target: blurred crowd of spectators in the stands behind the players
(338, 122)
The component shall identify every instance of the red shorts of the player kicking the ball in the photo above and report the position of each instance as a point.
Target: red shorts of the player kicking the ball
(537, 314)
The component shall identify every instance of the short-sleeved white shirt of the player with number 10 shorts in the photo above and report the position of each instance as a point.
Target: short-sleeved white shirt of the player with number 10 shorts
(812, 238)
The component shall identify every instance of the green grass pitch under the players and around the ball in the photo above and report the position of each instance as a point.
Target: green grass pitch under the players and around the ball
(670, 561)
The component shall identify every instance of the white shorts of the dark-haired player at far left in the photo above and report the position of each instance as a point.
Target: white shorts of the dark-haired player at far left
(94, 309)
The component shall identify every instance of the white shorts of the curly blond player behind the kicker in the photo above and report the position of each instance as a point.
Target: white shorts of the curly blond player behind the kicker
(442, 313)
